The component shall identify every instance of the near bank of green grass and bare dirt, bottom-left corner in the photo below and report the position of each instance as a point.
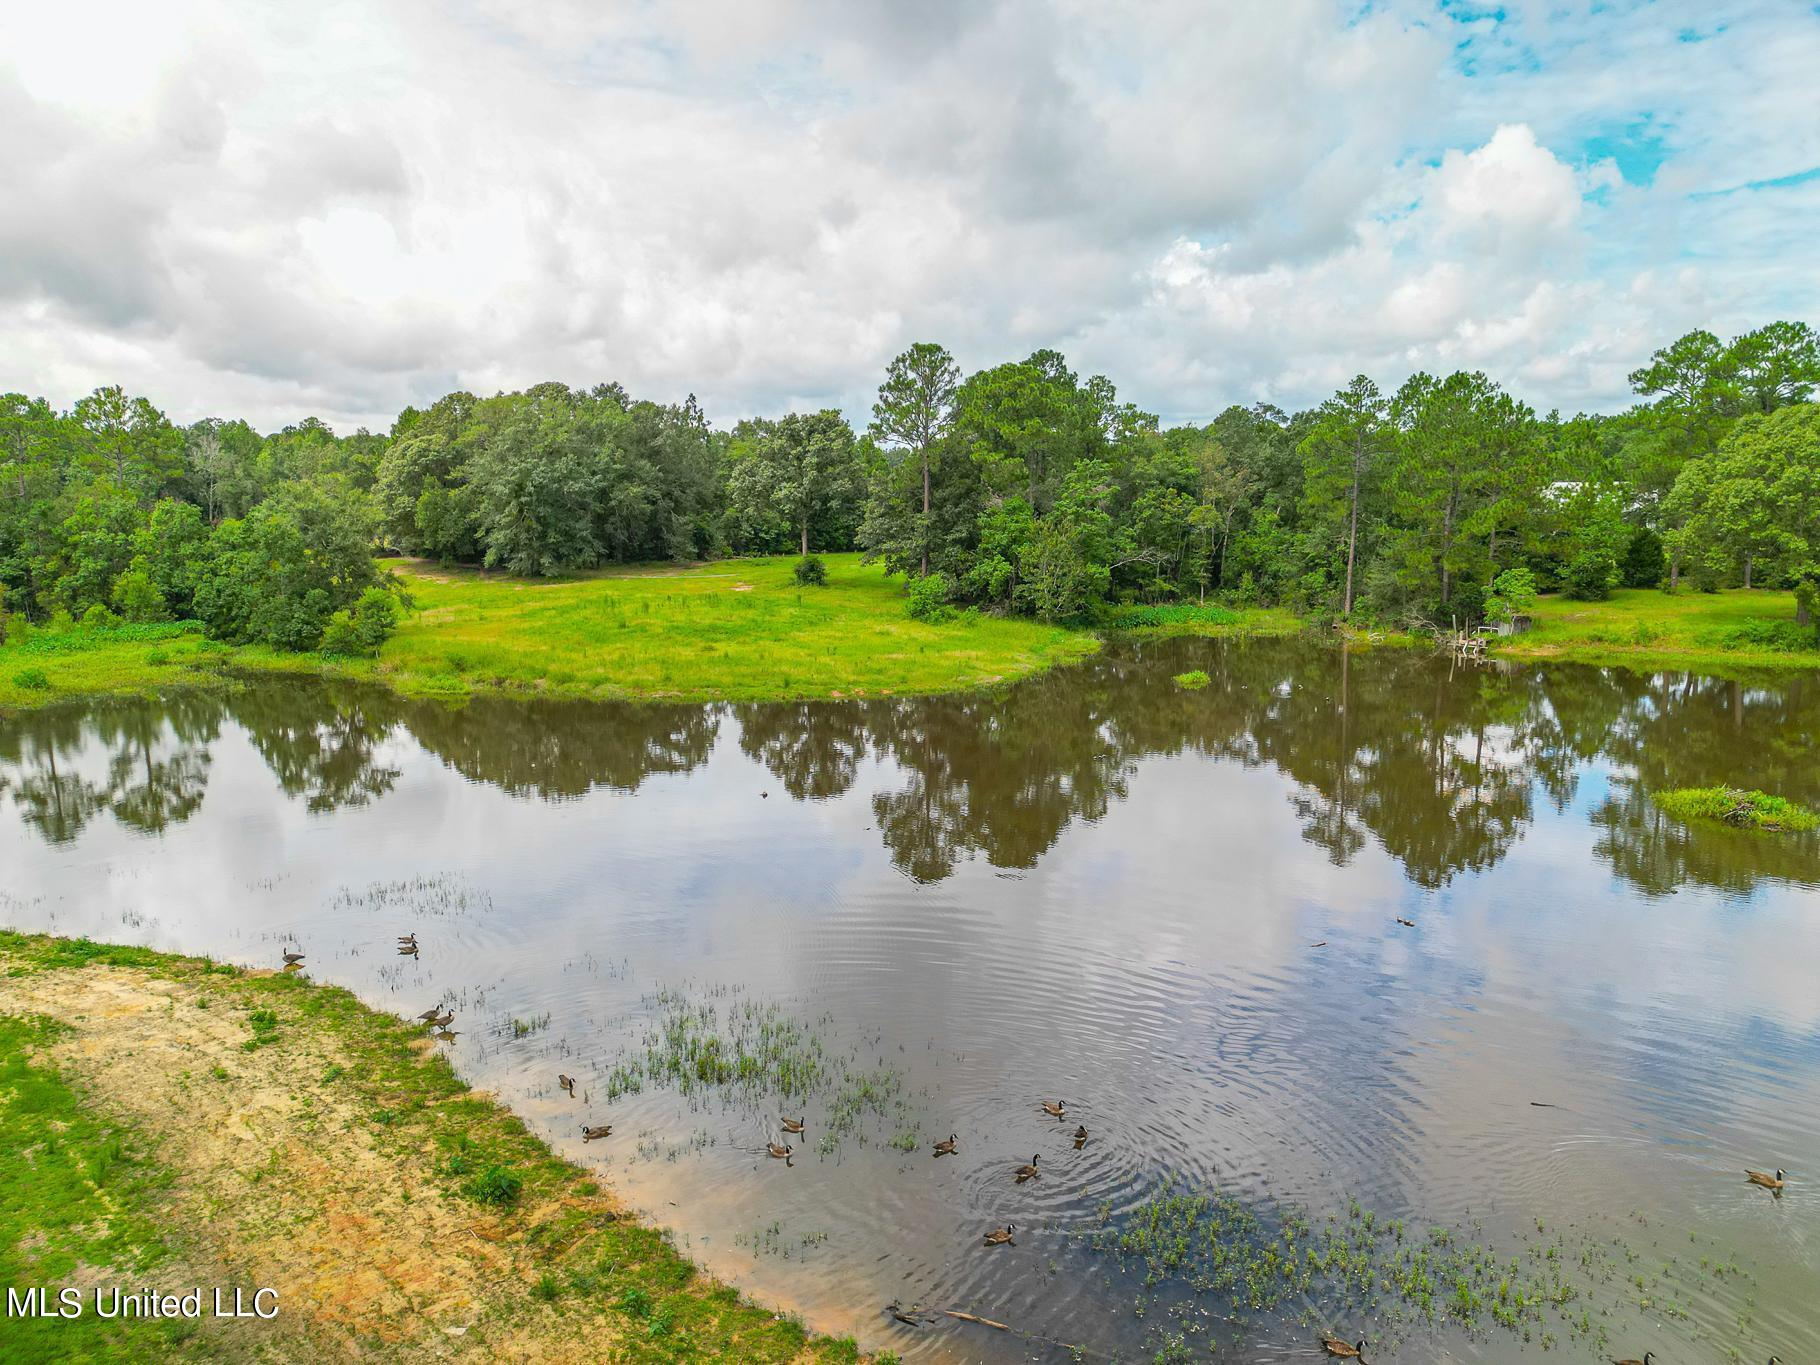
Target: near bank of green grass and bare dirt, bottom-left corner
(170, 1122)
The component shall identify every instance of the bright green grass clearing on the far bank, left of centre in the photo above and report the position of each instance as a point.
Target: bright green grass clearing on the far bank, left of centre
(731, 631)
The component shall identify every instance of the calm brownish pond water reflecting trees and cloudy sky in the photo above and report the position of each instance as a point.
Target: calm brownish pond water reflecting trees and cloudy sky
(1095, 887)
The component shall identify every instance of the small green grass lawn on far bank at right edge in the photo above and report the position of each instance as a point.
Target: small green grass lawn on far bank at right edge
(1648, 629)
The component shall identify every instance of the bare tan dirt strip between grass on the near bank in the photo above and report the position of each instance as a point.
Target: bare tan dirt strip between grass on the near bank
(281, 1184)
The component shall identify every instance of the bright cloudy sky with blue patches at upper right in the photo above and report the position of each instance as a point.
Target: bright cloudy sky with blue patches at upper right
(274, 210)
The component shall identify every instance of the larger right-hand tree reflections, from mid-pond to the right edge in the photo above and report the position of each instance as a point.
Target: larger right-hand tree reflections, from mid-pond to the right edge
(1437, 765)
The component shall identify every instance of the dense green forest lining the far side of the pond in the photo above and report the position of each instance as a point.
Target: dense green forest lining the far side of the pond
(1020, 489)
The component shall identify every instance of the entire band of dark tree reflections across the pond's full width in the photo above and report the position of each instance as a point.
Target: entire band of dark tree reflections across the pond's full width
(1395, 749)
